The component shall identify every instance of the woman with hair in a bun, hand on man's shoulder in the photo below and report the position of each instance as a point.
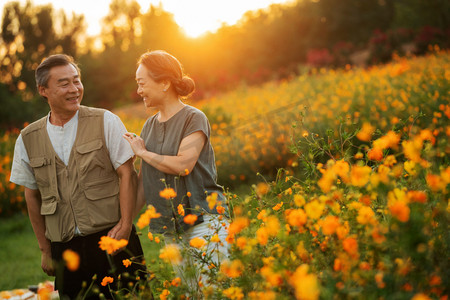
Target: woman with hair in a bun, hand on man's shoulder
(176, 152)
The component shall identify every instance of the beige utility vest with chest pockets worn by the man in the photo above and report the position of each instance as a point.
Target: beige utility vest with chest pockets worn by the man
(86, 192)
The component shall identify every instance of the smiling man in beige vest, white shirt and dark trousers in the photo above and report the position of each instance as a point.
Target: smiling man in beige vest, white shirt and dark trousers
(80, 184)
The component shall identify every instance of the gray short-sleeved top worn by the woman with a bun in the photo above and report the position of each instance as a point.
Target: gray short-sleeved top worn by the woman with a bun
(164, 138)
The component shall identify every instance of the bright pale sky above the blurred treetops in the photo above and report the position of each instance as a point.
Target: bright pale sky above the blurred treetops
(194, 16)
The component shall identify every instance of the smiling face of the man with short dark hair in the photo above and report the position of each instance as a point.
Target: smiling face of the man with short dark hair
(64, 90)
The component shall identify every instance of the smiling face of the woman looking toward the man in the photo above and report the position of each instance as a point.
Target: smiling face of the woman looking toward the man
(151, 91)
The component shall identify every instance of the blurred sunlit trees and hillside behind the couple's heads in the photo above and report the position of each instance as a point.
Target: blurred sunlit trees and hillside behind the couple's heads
(277, 42)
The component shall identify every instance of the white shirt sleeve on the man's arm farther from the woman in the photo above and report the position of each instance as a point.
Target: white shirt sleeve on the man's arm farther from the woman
(21, 171)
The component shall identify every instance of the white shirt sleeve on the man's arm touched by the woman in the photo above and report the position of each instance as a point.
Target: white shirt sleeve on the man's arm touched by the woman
(119, 149)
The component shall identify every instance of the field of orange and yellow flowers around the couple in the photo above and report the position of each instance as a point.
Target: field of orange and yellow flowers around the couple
(349, 173)
